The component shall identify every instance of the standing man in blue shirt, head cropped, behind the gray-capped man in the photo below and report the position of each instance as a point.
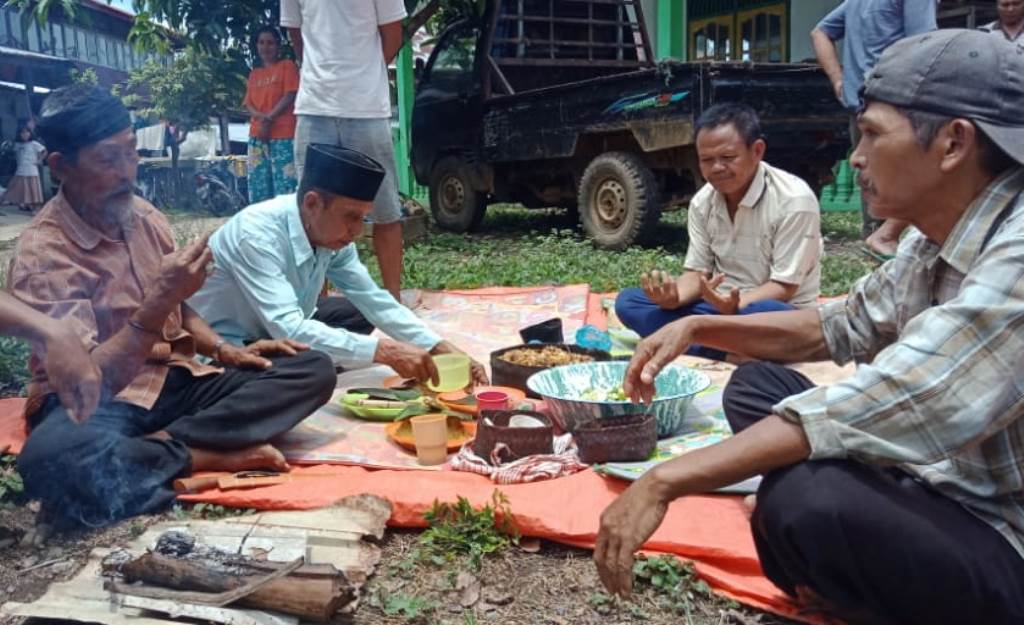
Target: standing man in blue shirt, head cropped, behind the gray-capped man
(868, 28)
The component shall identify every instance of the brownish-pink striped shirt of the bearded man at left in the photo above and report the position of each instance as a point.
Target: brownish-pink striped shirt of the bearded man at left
(68, 270)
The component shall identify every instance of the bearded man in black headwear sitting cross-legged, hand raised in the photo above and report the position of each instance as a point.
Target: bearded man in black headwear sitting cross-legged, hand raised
(104, 263)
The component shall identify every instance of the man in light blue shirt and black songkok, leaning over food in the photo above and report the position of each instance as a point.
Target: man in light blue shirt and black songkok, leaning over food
(272, 260)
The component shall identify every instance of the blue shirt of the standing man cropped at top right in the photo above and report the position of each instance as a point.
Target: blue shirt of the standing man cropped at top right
(868, 28)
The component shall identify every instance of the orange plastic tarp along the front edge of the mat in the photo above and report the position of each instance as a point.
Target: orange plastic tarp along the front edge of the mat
(712, 531)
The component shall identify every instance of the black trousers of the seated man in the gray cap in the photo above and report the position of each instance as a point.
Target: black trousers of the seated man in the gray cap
(873, 540)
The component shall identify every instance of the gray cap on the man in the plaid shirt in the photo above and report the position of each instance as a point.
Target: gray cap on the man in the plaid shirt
(959, 73)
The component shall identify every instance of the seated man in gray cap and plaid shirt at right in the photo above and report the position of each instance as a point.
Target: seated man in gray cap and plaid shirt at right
(898, 495)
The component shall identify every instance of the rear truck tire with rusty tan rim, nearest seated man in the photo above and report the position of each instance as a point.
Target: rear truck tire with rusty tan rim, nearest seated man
(619, 200)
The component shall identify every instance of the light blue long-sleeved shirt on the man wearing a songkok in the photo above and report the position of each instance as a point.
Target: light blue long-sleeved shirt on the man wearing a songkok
(268, 278)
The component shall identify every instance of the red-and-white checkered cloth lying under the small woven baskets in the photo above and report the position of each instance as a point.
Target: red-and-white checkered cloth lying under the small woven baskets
(565, 462)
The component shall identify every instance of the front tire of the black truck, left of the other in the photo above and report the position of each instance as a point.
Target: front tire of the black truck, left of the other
(454, 202)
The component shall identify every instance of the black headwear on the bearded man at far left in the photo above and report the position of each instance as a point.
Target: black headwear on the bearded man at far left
(79, 116)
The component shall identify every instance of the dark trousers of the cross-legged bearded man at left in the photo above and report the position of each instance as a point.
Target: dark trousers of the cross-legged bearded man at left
(106, 470)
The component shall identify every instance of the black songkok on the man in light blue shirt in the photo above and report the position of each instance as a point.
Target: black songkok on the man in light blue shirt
(343, 172)
